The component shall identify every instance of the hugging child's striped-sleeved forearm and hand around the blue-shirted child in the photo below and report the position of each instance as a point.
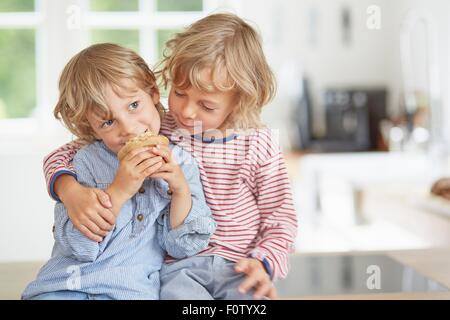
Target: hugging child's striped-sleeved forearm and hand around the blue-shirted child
(88, 208)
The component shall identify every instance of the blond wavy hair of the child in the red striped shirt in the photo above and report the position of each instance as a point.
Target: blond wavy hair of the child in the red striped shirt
(222, 42)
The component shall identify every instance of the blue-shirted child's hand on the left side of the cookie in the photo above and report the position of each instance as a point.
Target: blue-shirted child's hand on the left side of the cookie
(133, 169)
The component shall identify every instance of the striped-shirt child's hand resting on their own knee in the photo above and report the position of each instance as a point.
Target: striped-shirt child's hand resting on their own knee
(257, 278)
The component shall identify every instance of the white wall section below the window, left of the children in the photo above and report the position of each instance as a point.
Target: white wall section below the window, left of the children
(26, 211)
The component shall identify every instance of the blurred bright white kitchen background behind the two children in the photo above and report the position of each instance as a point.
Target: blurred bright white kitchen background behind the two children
(362, 109)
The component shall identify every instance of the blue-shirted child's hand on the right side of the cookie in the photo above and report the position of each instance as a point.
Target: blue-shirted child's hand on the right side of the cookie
(170, 171)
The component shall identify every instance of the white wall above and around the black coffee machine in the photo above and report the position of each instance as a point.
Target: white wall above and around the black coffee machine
(372, 59)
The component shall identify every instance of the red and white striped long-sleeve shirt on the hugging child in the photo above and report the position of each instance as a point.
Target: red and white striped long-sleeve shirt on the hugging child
(246, 185)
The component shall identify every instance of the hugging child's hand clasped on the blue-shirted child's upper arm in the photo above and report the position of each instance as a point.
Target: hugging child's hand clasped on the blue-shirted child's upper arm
(88, 210)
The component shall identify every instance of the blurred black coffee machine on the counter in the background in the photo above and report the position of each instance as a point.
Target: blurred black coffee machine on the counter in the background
(352, 120)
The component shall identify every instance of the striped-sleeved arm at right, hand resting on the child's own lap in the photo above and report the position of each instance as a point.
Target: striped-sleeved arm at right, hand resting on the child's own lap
(278, 227)
